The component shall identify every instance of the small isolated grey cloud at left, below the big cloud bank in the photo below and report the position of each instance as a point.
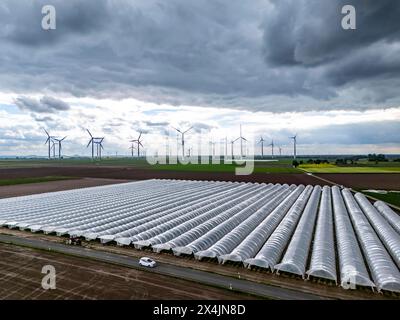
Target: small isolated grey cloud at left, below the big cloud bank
(44, 105)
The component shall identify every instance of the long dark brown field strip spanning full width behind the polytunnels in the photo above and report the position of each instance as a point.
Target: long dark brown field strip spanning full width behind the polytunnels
(356, 180)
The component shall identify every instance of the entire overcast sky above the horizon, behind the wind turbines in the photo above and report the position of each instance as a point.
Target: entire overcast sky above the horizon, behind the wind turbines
(276, 67)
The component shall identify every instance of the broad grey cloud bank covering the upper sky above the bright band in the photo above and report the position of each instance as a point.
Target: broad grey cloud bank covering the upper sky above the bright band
(263, 55)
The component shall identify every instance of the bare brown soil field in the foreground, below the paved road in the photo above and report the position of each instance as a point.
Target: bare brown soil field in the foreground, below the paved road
(76, 278)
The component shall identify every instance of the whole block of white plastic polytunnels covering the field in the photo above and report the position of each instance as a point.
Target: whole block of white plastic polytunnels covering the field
(322, 232)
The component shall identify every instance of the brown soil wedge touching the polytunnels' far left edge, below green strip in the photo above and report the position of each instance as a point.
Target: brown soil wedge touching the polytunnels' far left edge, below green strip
(52, 186)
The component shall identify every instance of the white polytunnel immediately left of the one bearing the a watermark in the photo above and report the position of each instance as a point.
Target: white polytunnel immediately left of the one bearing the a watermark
(323, 260)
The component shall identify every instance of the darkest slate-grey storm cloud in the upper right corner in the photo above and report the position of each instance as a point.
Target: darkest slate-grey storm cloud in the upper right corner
(313, 37)
